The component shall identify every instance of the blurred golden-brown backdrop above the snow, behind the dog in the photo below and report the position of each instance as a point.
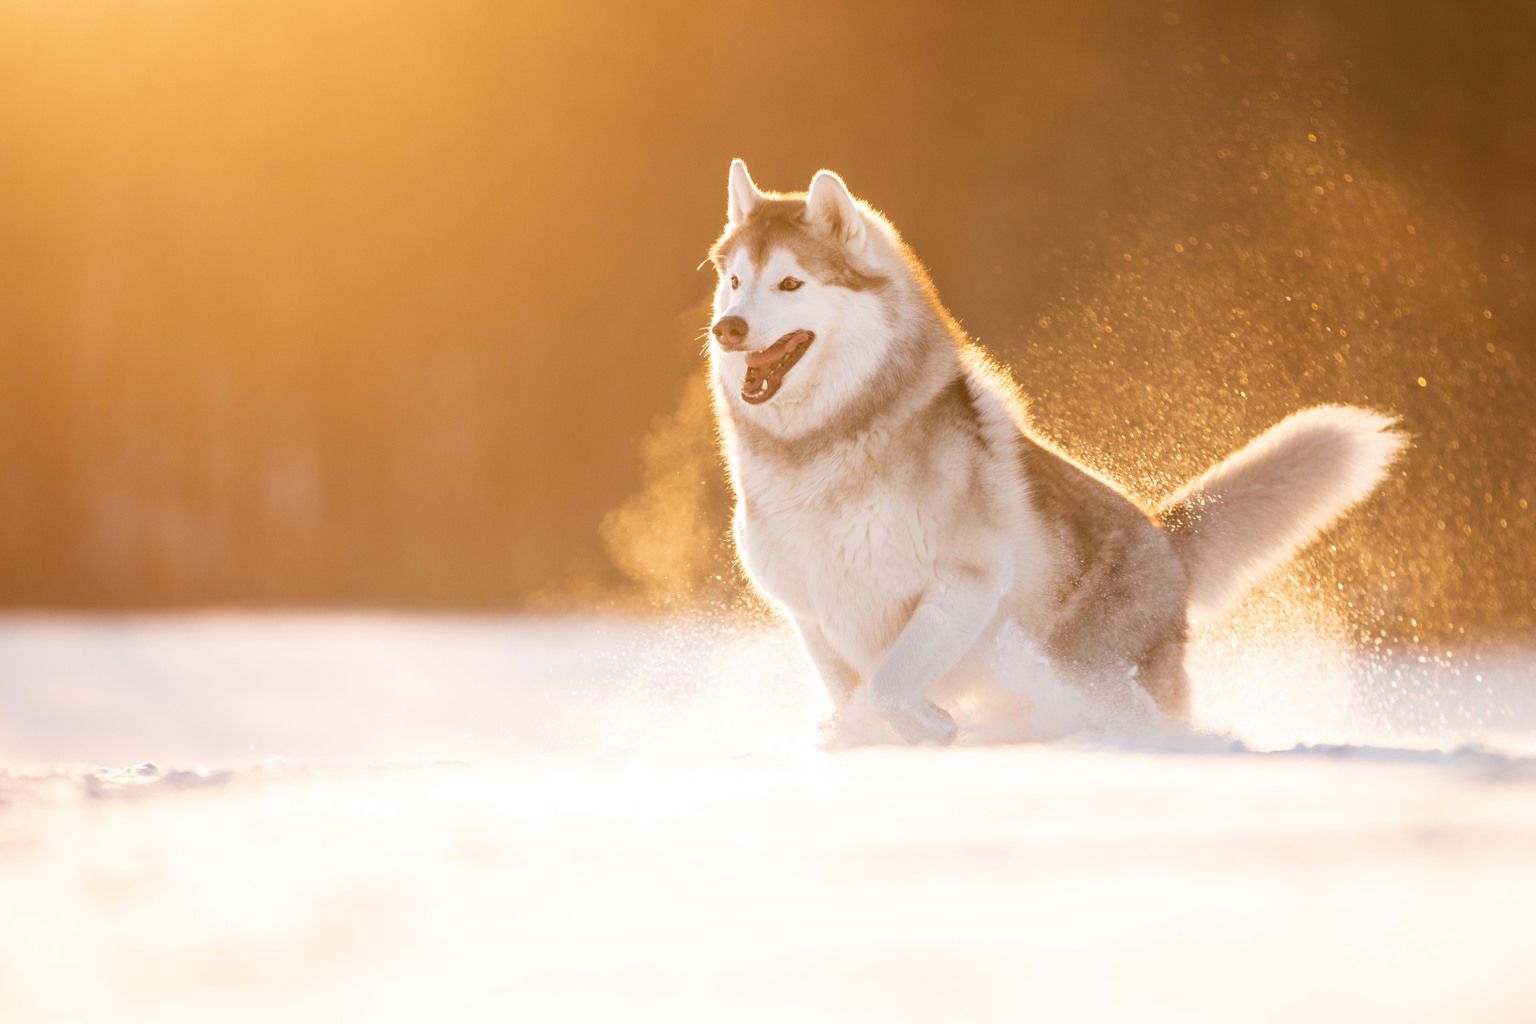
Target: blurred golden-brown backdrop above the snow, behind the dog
(397, 305)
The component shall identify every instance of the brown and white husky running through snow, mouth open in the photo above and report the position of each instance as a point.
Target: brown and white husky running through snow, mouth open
(893, 501)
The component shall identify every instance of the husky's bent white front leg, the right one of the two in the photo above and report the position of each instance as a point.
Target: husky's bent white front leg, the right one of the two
(947, 624)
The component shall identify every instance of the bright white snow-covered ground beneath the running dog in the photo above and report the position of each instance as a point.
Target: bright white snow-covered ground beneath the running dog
(462, 821)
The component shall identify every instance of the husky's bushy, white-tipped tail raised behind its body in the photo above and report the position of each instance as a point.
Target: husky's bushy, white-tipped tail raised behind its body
(1245, 517)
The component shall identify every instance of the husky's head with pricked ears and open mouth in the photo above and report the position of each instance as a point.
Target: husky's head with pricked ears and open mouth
(804, 303)
